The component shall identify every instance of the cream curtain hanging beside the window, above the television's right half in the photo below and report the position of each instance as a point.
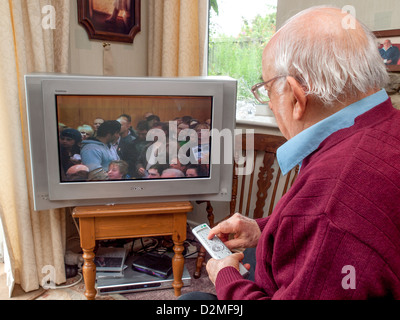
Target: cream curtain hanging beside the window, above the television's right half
(177, 38)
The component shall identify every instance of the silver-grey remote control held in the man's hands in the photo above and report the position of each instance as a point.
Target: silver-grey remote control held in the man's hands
(215, 247)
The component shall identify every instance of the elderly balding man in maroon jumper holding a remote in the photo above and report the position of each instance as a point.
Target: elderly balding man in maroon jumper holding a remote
(336, 232)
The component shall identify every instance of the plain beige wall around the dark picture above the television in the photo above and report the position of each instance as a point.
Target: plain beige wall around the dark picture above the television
(87, 55)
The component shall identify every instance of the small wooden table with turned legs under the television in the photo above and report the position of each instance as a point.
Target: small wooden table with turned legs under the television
(131, 221)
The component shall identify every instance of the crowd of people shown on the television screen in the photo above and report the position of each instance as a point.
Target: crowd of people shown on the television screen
(115, 150)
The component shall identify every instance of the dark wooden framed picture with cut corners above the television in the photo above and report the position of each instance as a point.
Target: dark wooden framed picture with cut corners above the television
(110, 20)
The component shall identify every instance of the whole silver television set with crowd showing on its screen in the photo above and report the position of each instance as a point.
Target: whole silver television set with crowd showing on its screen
(158, 140)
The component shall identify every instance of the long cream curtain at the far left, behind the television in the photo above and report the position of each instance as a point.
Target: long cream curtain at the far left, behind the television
(35, 38)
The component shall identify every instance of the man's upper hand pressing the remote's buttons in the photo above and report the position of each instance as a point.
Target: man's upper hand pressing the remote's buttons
(246, 232)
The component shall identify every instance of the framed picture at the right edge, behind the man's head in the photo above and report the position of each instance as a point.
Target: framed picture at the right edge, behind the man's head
(389, 48)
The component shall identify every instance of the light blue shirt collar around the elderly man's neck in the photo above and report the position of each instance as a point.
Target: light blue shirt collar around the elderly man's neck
(295, 150)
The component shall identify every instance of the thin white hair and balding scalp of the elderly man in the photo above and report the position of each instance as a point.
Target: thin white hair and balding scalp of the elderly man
(339, 63)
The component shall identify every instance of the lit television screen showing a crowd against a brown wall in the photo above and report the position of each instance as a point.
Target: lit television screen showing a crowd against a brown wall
(160, 137)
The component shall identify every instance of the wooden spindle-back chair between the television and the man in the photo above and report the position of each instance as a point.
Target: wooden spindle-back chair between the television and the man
(251, 198)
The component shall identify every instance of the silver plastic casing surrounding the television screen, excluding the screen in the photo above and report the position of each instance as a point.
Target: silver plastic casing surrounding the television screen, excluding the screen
(50, 192)
